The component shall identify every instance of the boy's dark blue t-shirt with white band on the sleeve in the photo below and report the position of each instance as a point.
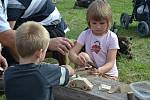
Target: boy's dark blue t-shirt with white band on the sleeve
(33, 81)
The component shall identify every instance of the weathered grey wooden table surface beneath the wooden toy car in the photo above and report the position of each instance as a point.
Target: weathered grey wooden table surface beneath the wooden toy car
(66, 93)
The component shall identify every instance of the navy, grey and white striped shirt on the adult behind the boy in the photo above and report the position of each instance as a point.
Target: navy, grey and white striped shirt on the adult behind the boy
(42, 11)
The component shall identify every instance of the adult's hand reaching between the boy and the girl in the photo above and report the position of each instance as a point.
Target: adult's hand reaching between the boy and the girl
(60, 44)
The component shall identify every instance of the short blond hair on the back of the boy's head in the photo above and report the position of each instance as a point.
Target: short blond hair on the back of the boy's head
(31, 36)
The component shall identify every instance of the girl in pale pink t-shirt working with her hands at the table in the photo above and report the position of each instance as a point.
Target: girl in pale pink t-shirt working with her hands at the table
(101, 44)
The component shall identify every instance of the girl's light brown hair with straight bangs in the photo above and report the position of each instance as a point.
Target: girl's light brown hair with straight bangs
(99, 10)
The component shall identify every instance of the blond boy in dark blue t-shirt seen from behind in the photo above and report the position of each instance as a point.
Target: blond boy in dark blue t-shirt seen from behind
(30, 80)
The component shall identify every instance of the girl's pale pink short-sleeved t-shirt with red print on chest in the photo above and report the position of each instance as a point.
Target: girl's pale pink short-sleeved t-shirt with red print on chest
(97, 47)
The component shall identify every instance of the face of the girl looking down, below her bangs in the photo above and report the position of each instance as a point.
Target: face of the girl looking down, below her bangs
(99, 27)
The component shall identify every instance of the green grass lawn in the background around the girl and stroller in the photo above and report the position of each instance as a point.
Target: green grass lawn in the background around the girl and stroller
(133, 70)
